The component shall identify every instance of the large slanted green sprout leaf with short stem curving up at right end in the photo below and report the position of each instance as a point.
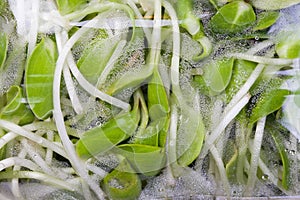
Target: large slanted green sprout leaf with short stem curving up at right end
(100, 139)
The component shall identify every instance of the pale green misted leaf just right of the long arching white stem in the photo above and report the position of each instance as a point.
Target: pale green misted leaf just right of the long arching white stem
(95, 57)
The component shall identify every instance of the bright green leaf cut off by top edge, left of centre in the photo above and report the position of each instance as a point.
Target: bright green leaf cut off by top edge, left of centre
(67, 6)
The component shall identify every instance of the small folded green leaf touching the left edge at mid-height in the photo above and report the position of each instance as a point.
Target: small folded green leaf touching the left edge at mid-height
(16, 110)
